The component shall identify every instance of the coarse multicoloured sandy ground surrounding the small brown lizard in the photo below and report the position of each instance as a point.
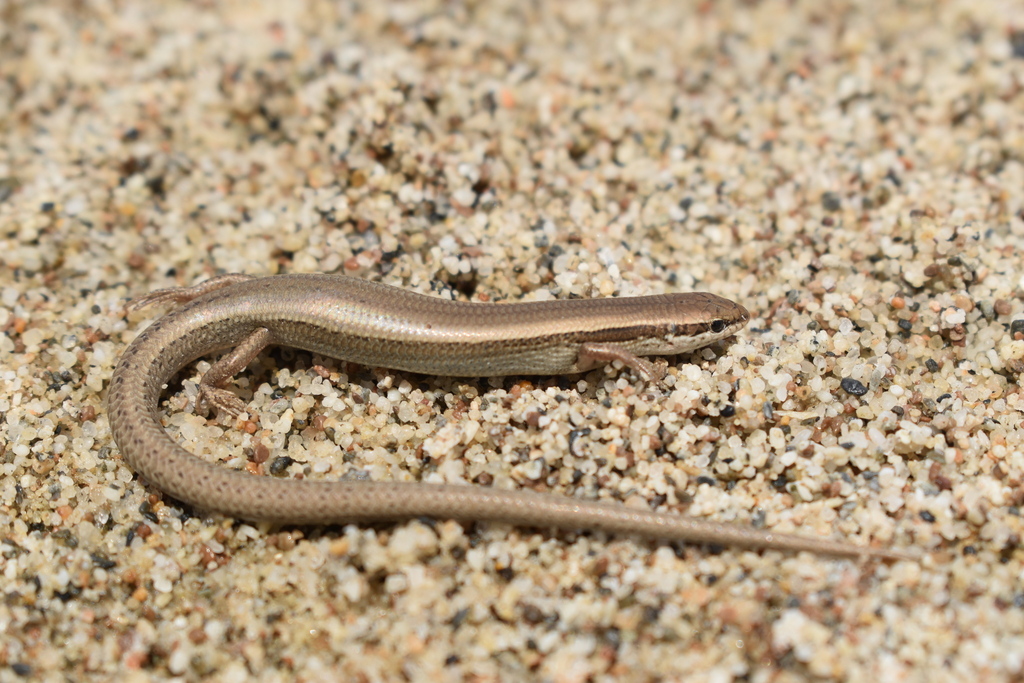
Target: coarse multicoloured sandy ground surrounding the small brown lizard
(852, 173)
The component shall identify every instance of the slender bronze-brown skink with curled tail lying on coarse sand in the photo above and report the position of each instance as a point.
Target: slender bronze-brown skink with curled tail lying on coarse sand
(381, 326)
